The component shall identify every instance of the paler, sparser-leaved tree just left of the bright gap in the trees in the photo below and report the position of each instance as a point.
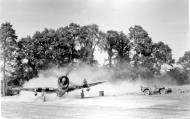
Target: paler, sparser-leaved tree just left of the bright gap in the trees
(89, 38)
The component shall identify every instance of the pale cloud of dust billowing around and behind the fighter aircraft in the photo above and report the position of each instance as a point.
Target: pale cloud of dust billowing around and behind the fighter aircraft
(113, 85)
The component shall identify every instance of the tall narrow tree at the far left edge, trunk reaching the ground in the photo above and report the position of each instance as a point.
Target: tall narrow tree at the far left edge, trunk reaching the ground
(8, 46)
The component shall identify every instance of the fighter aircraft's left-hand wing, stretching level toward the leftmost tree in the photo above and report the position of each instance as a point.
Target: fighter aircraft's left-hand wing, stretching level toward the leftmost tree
(37, 89)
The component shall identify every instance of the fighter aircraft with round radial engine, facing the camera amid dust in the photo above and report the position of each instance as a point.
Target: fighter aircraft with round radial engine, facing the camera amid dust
(64, 86)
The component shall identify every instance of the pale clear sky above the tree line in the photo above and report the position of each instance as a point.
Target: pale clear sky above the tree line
(164, 20)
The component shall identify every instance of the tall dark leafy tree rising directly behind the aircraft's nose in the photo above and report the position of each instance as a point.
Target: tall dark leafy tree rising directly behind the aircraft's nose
(67, 40)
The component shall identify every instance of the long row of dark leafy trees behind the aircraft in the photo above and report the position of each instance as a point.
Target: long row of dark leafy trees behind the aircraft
(71, 44)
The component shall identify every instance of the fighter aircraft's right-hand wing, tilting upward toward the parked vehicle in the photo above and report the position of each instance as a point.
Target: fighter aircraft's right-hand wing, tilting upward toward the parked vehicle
(75, 87)
